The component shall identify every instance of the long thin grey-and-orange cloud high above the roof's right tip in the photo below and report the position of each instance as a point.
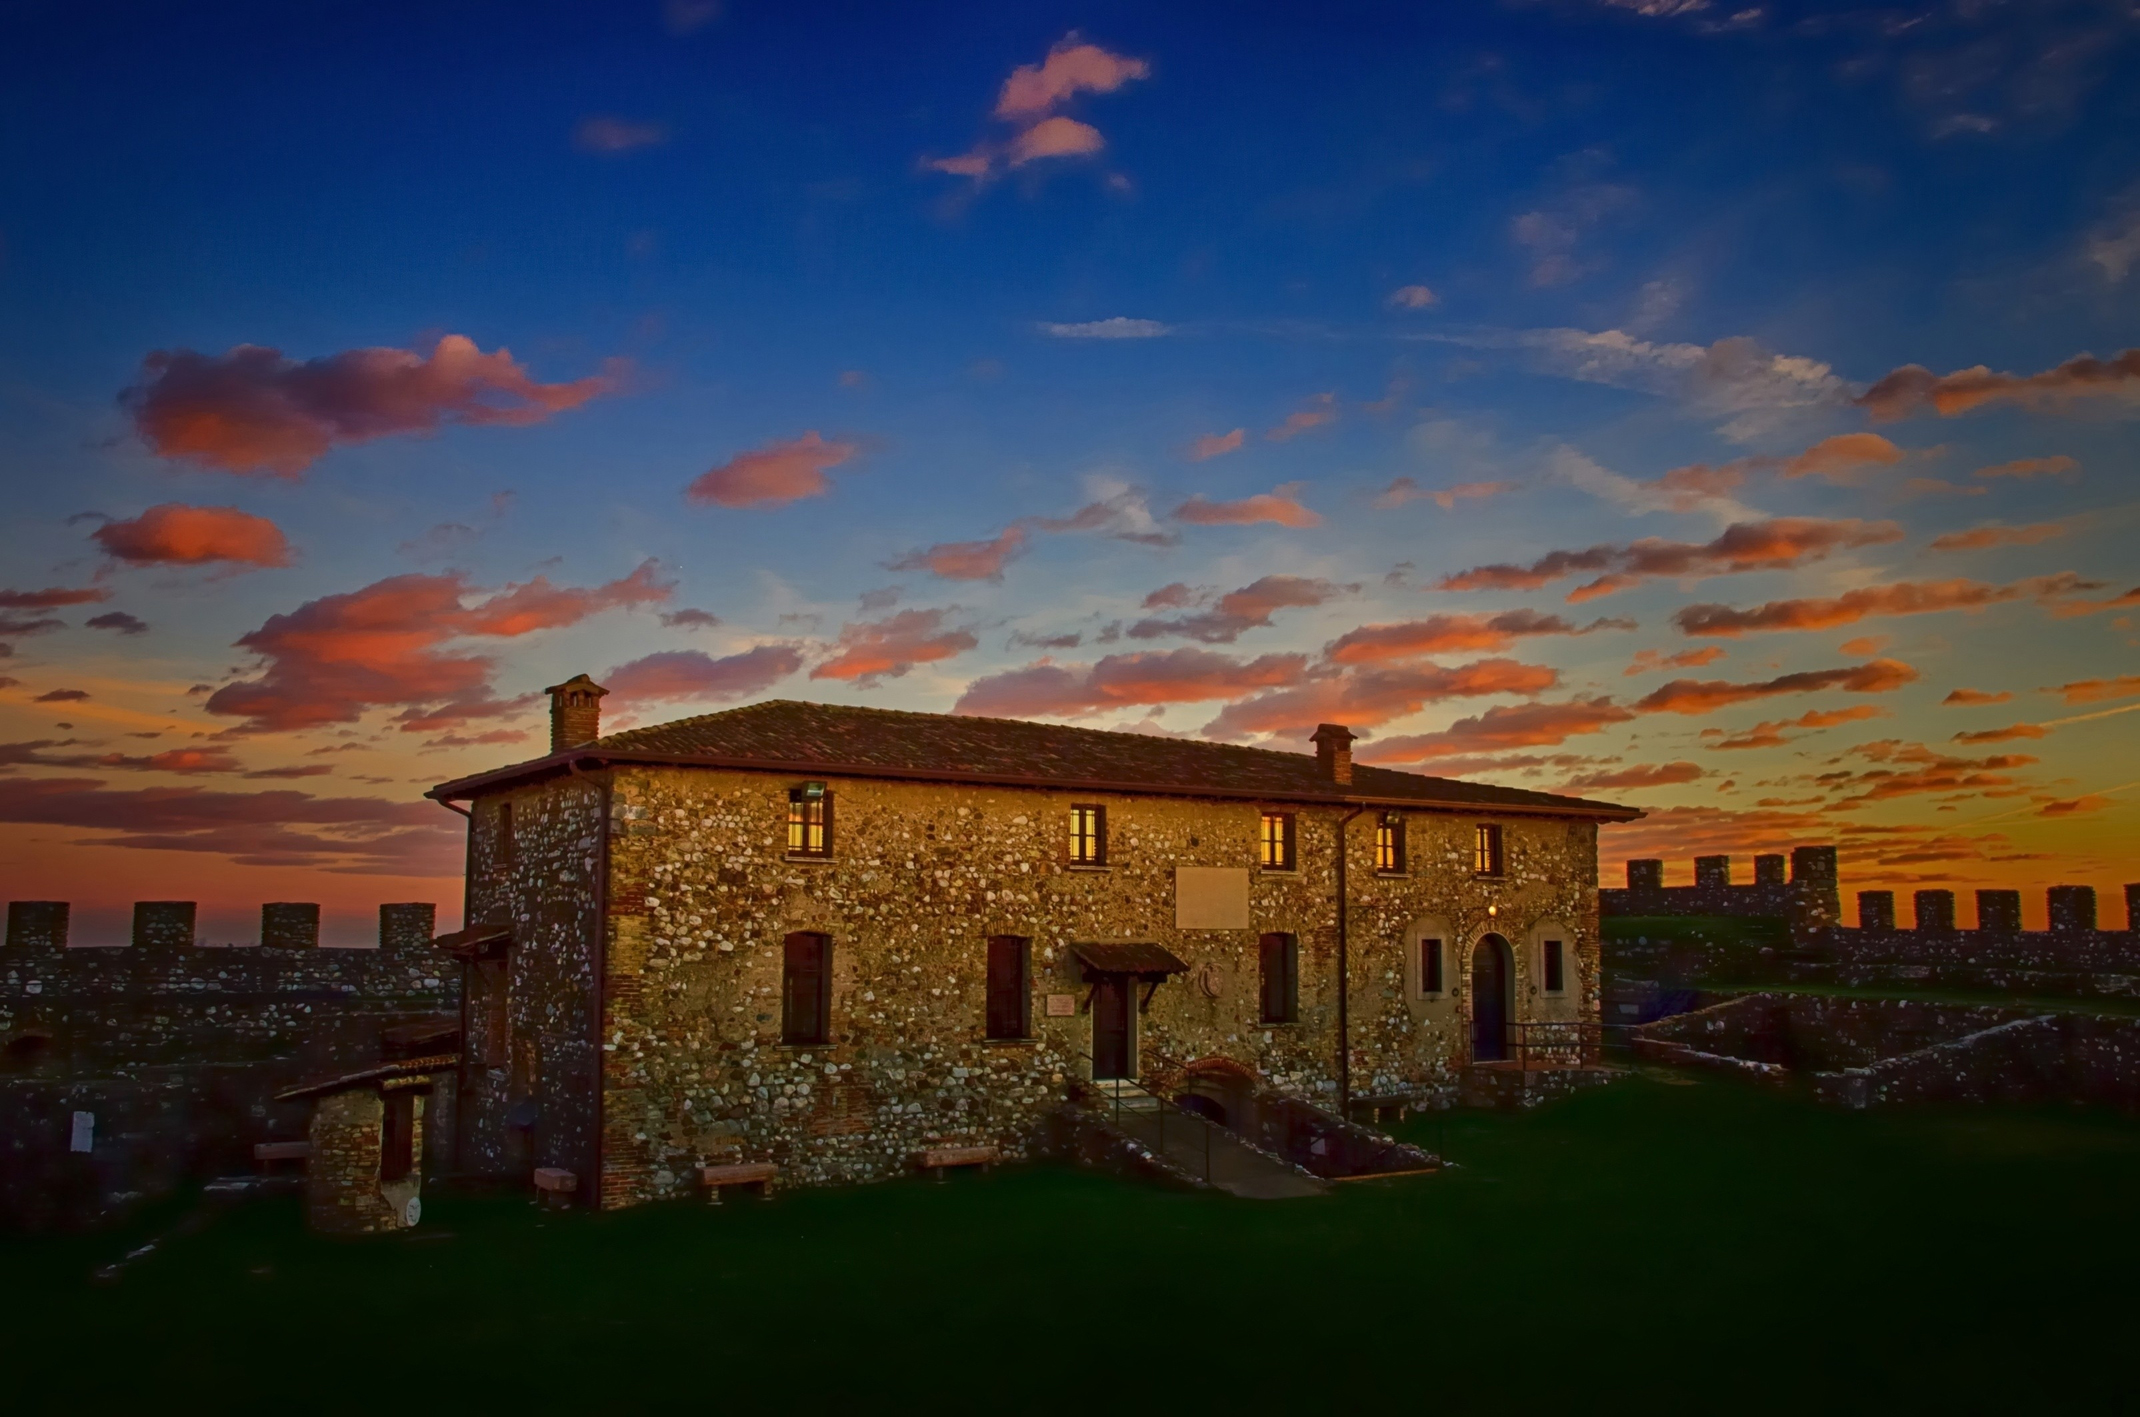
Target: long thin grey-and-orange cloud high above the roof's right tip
(1745, 547)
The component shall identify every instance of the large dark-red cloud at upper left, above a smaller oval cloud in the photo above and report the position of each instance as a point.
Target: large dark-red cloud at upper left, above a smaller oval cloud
(256, 412)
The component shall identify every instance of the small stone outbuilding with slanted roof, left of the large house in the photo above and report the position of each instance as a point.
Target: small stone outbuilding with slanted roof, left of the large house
(365, 1172)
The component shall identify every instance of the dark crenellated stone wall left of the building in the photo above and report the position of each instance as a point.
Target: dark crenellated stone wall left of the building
(177, 1050)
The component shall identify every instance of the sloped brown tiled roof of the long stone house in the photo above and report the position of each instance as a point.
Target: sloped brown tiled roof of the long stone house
(834, 740)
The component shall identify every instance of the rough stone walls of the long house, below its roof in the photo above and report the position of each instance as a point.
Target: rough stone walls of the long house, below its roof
(701, 898)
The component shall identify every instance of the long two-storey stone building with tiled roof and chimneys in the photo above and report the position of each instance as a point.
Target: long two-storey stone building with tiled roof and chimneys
(829, 939)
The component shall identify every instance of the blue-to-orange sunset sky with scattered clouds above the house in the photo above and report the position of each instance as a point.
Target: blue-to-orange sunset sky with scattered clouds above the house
(1728, 410)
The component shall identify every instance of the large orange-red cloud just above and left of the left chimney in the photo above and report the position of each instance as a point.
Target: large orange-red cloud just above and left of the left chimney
(393, 643)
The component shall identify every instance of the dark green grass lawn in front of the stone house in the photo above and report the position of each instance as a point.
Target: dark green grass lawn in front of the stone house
(1660, 1243)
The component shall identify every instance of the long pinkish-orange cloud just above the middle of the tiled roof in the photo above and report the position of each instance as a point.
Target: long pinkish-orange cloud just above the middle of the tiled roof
(1125, 682)
